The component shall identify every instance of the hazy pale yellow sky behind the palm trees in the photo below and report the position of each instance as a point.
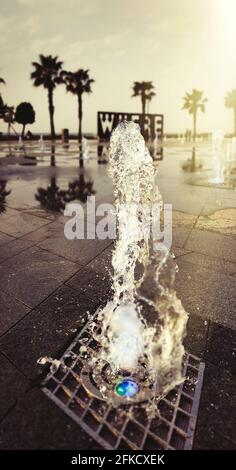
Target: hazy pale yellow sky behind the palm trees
(179, 44)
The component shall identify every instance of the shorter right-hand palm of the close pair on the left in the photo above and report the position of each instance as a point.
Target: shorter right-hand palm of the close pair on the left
(78, 83)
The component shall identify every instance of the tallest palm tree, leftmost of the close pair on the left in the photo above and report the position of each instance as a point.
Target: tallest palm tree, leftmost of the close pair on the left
(47, 74)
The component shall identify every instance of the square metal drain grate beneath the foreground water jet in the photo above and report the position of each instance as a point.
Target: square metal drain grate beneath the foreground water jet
(127, 427)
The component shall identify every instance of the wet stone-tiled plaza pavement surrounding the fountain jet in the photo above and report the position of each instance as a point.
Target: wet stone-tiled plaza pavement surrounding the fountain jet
(49, 285)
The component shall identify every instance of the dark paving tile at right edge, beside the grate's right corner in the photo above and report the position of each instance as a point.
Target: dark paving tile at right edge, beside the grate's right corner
(221, 347)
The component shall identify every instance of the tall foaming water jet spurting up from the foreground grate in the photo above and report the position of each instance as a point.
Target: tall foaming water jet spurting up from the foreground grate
(143, 277)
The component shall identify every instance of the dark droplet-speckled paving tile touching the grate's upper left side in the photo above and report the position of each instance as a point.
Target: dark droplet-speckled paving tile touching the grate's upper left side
(47, 329)
